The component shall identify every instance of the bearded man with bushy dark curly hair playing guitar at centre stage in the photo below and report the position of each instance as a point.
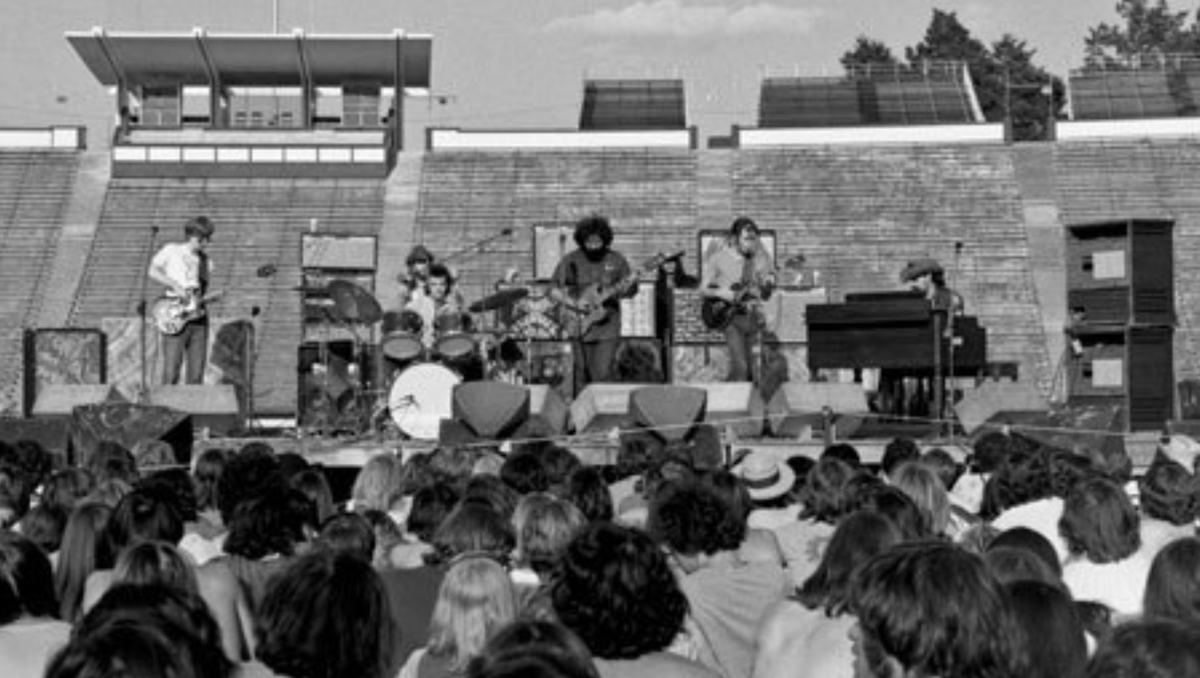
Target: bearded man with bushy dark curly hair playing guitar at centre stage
(595, 267)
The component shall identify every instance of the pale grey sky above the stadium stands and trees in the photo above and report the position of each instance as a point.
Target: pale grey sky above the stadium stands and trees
(521, 64)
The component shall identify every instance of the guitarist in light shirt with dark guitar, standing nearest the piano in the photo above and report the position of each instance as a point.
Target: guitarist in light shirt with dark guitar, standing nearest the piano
(739, 275)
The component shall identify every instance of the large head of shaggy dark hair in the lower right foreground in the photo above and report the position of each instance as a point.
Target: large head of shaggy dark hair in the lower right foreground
(931, 609)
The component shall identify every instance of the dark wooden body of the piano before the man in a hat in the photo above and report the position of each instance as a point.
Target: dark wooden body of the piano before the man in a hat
(893, 331)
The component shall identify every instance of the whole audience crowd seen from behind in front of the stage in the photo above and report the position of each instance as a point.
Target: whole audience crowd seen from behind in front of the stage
(1018, 562)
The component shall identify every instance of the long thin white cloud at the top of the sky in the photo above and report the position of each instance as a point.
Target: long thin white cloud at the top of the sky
(674, 20)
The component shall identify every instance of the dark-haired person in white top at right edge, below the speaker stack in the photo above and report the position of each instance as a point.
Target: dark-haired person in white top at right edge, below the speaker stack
(1167, 495)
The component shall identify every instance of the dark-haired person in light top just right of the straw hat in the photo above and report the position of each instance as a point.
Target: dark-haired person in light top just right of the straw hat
(825, 501)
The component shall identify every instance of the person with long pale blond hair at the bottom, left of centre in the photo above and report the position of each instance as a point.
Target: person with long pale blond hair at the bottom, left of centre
(477, 599)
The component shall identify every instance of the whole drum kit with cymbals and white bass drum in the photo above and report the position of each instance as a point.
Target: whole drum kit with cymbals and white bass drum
(417, 369)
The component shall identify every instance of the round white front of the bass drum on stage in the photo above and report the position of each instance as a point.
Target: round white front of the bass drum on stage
(421, 398)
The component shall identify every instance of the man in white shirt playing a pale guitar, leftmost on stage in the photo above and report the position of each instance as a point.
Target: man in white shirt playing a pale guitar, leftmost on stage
(185, 269)
